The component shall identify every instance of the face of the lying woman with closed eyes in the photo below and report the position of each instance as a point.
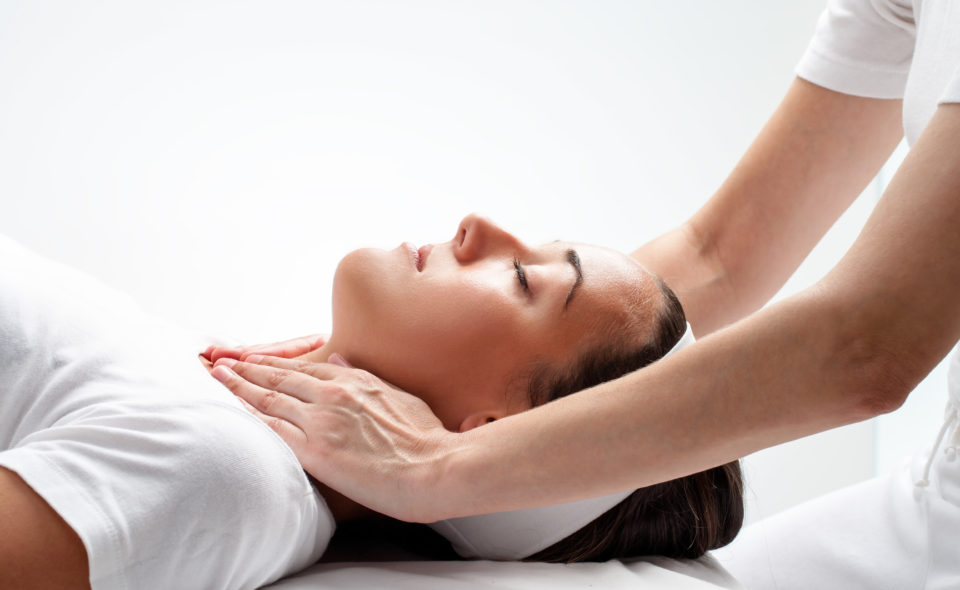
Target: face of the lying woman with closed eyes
(460, 323)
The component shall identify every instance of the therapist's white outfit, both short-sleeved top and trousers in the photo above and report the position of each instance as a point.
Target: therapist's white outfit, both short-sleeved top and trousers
(887, 533)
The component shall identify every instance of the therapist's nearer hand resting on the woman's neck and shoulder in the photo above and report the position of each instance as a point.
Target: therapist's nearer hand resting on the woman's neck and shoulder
(351, 430)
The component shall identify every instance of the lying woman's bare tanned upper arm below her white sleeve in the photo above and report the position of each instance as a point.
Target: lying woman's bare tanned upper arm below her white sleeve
(38, 549)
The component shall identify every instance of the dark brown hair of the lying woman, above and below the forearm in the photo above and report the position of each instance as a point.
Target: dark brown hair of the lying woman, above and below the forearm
(683, 517)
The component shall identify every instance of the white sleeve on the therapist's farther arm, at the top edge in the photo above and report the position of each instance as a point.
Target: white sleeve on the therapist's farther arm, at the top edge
(862, 47)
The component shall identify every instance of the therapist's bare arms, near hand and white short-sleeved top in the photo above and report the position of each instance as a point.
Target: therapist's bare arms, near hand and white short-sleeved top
(850, 347)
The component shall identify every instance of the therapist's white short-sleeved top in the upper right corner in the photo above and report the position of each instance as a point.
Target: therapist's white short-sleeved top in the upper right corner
(889, 49)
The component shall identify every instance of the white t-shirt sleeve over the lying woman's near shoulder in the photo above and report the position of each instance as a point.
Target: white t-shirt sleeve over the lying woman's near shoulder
(176, 495)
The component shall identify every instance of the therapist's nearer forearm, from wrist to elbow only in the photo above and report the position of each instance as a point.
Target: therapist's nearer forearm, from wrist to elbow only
(756, 384)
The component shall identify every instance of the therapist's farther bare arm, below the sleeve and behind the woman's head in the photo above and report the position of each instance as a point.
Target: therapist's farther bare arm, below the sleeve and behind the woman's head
(810, 161)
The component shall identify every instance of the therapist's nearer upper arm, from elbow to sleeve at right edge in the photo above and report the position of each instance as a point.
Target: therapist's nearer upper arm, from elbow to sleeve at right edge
(900, 278)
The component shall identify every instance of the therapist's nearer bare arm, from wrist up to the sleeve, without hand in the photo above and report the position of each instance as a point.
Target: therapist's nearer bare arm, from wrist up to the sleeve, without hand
(846, 349)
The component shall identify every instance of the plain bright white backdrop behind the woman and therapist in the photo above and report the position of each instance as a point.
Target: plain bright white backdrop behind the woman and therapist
(216, 159)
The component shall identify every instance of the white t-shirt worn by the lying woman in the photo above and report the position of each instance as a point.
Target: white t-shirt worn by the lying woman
(108, 415)
